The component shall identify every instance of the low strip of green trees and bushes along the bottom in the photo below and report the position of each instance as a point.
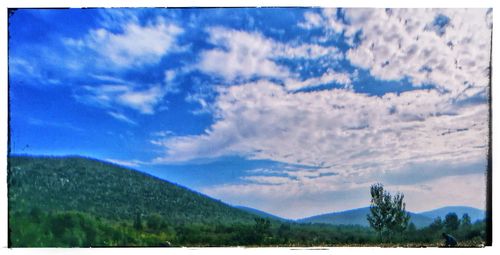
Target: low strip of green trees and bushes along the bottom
(37, 228)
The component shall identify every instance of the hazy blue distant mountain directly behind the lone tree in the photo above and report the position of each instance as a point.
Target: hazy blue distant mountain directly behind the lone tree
(358, 217)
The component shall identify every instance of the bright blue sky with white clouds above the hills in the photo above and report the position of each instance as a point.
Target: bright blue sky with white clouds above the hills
(294, 111)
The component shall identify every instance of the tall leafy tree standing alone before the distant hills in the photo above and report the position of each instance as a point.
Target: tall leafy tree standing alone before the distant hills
(387, 214)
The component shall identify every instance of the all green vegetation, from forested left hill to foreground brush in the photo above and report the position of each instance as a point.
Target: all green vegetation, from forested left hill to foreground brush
(78, 202)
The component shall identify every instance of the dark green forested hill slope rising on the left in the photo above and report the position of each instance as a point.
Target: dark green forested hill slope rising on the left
(106, 190)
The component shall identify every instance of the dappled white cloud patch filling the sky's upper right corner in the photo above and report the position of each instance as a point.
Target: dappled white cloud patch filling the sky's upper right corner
(400, 43)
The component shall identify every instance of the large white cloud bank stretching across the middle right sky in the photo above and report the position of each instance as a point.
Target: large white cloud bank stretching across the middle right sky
(337, 128)
